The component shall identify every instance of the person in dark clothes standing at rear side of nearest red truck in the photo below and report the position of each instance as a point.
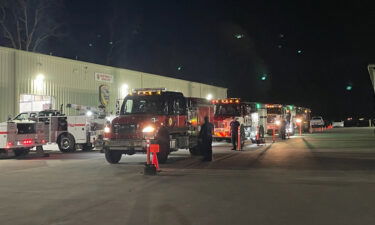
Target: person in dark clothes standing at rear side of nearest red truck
(205, 135)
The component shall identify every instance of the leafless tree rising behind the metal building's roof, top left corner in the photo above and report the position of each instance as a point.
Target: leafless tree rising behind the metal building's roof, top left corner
(25, 24)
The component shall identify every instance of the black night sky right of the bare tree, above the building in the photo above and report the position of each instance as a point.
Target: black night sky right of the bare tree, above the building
(336, 39)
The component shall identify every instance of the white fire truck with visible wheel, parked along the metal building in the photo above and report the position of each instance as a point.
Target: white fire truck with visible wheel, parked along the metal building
(70, 132)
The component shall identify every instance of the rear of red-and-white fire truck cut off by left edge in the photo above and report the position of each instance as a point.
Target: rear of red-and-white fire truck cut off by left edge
(17, 139)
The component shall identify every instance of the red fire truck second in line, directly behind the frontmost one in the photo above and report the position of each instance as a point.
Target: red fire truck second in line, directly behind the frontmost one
(225, 110)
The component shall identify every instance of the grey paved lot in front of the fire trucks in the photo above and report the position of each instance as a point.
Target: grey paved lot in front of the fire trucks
(322, 178)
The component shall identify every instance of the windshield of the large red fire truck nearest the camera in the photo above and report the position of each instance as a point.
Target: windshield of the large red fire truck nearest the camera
(144, 105)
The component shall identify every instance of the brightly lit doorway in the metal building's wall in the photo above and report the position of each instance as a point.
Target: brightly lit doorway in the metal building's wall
(35, 102)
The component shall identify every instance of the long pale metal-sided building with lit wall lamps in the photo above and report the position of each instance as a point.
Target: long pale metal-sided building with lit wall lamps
(33, 82)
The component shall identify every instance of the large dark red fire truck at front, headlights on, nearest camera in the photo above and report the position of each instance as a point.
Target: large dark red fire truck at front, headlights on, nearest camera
(159, 116)
